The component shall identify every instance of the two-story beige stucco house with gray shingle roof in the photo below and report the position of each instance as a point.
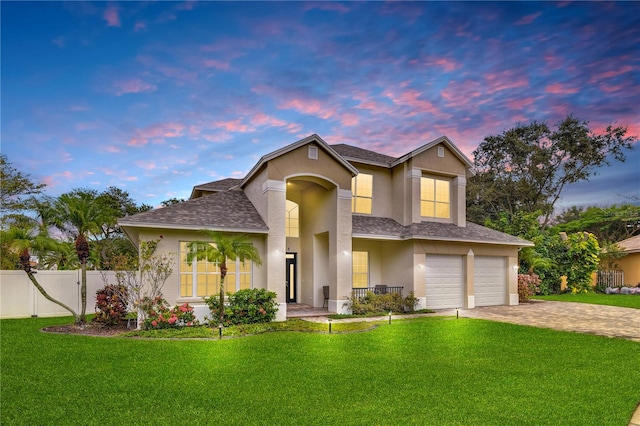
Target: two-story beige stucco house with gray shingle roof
(344, 217)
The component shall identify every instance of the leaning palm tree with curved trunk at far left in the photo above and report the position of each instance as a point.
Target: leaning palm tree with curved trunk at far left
(22, 240)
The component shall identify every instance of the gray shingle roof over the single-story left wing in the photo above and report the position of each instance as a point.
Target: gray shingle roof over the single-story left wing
(223, 210)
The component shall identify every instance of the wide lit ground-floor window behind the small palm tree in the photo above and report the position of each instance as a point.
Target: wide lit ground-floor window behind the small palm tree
(202, 278)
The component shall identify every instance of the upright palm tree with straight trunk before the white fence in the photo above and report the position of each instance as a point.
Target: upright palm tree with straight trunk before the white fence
(80, 213)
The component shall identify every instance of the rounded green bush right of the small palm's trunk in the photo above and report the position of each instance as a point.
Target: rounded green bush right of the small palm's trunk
(249, 306)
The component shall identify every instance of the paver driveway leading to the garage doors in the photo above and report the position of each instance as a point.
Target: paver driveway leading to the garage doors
(602, 320)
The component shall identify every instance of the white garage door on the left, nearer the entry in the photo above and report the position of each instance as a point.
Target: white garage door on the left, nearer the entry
(445, 281)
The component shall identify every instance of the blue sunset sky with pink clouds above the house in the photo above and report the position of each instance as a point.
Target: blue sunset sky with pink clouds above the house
(156, 97)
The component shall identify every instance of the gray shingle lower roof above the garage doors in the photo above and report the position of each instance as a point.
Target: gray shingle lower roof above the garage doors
(380, 227)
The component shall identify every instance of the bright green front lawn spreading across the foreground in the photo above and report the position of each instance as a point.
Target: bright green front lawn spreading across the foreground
(426, 371)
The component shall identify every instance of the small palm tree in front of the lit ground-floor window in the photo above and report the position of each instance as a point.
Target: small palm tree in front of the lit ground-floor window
(221, 248)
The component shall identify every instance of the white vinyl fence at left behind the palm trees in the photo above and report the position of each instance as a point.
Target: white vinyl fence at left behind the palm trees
(20, 299)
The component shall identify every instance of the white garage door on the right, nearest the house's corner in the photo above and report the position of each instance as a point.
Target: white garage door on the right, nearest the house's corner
(490, 280)
